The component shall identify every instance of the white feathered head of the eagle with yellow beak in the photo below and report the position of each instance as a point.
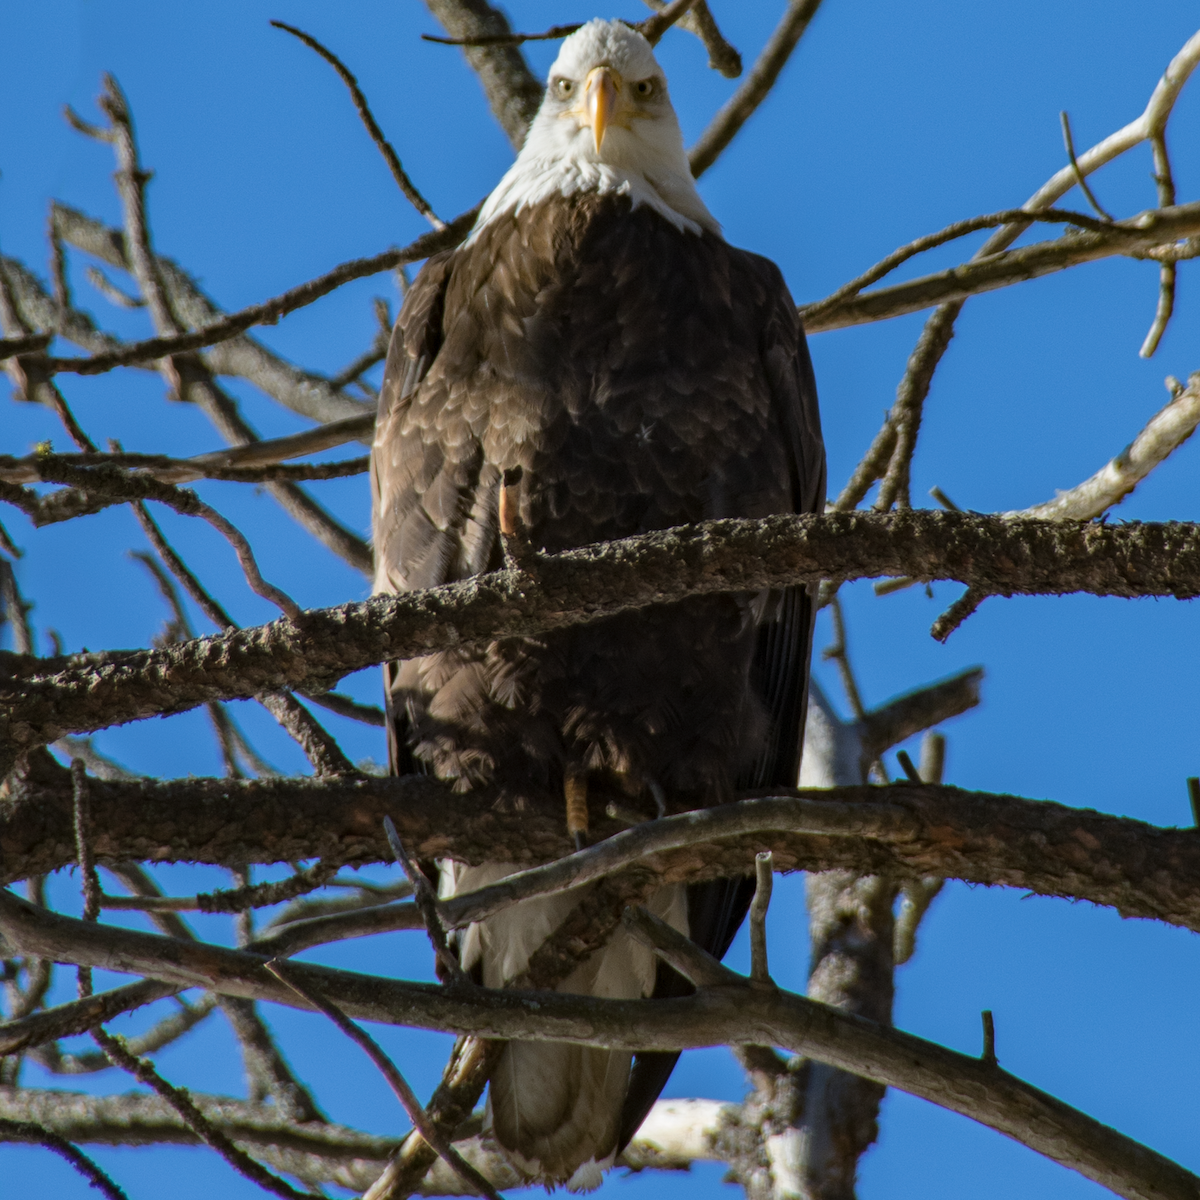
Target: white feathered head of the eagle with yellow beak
(605, 125)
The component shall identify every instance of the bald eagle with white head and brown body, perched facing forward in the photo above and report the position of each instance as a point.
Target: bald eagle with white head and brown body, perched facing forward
(593, 363)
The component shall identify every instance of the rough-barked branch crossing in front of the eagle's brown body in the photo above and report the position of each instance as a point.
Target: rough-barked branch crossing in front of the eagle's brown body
(44, 699)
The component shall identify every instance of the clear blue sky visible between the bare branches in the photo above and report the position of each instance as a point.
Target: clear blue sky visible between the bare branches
(891, 122)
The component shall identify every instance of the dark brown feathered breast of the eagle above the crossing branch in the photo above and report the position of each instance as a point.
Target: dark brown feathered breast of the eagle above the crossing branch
(614, 358)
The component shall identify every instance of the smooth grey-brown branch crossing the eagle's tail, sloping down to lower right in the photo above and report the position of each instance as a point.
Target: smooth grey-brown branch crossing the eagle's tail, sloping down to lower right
(718, 1016)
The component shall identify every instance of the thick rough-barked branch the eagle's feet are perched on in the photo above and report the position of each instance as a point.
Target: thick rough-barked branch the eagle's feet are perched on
(983, 838)
